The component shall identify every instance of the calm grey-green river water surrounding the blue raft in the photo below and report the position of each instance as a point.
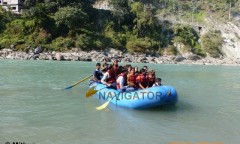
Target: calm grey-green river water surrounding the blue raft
(35, 108)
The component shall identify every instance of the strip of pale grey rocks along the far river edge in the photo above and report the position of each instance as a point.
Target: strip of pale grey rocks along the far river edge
(77, 55)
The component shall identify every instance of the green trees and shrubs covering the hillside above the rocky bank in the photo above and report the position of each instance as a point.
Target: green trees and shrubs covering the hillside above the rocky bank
(58, 25)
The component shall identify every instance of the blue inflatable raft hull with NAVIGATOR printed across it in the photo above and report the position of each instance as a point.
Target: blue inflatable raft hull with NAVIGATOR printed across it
(139, 99)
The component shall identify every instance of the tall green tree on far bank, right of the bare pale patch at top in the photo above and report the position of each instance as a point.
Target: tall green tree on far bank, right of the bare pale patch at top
(146, 26)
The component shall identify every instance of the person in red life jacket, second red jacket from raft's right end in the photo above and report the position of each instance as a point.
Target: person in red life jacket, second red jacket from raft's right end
(142, 80)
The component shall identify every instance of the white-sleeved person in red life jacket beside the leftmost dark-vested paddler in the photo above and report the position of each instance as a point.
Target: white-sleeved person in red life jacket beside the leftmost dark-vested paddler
(109, 77)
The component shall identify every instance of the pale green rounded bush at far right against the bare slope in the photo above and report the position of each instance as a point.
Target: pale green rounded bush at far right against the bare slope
(212, 43)
